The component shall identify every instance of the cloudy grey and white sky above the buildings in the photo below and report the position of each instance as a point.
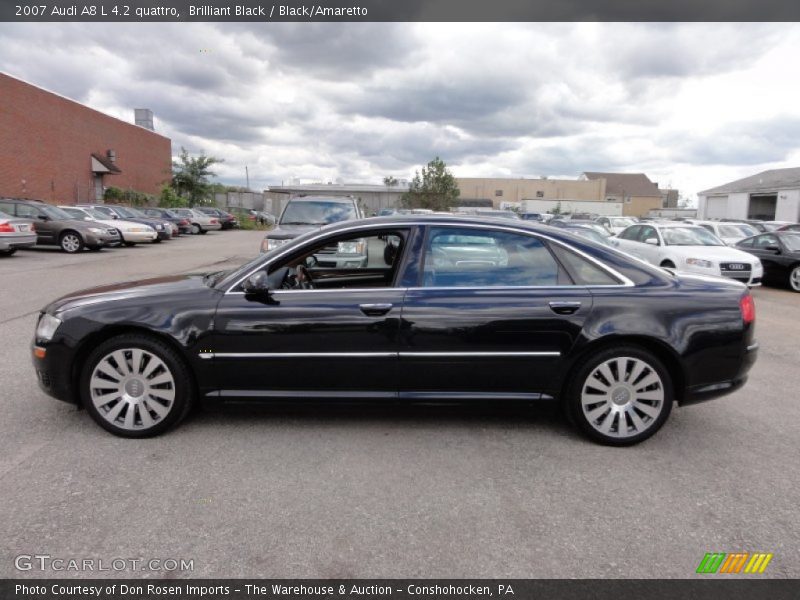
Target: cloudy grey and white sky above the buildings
(692, 105)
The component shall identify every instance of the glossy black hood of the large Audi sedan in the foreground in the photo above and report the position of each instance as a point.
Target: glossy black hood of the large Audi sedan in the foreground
(149, 288)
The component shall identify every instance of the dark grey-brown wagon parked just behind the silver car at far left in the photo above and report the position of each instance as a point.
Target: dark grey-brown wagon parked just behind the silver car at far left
(54, 227)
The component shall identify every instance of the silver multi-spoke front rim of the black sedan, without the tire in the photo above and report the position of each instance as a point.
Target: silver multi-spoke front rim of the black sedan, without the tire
(132, 388)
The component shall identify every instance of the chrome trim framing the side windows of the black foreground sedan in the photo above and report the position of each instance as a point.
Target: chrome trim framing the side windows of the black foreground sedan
(626, 282)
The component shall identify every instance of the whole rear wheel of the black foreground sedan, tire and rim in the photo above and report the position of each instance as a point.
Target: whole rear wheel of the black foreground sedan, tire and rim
(644, 402)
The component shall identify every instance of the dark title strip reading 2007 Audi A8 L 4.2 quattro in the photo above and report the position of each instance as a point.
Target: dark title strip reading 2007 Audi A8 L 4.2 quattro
(398, 10)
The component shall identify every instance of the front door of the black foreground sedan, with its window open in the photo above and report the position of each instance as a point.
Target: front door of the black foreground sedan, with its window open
(321, 331)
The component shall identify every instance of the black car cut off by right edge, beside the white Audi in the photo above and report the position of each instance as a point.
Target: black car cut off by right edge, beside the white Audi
(779, 252)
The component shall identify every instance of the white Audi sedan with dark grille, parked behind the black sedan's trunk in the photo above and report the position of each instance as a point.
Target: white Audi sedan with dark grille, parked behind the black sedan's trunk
(689, 249)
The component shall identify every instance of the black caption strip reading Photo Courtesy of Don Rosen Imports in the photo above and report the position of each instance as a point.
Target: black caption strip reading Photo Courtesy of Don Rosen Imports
(396, 589)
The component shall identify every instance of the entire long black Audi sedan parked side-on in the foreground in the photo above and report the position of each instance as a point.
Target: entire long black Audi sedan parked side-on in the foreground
(446, 308)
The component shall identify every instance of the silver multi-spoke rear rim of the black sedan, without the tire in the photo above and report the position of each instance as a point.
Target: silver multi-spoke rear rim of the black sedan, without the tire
(623, 397)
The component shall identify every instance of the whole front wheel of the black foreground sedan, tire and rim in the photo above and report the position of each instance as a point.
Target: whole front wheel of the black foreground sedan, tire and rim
(136, 400)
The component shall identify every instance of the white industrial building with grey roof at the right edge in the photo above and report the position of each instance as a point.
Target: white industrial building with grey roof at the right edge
(770, 196)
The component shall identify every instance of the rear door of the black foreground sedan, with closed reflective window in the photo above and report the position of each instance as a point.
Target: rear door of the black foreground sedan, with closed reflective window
(494, 314)
